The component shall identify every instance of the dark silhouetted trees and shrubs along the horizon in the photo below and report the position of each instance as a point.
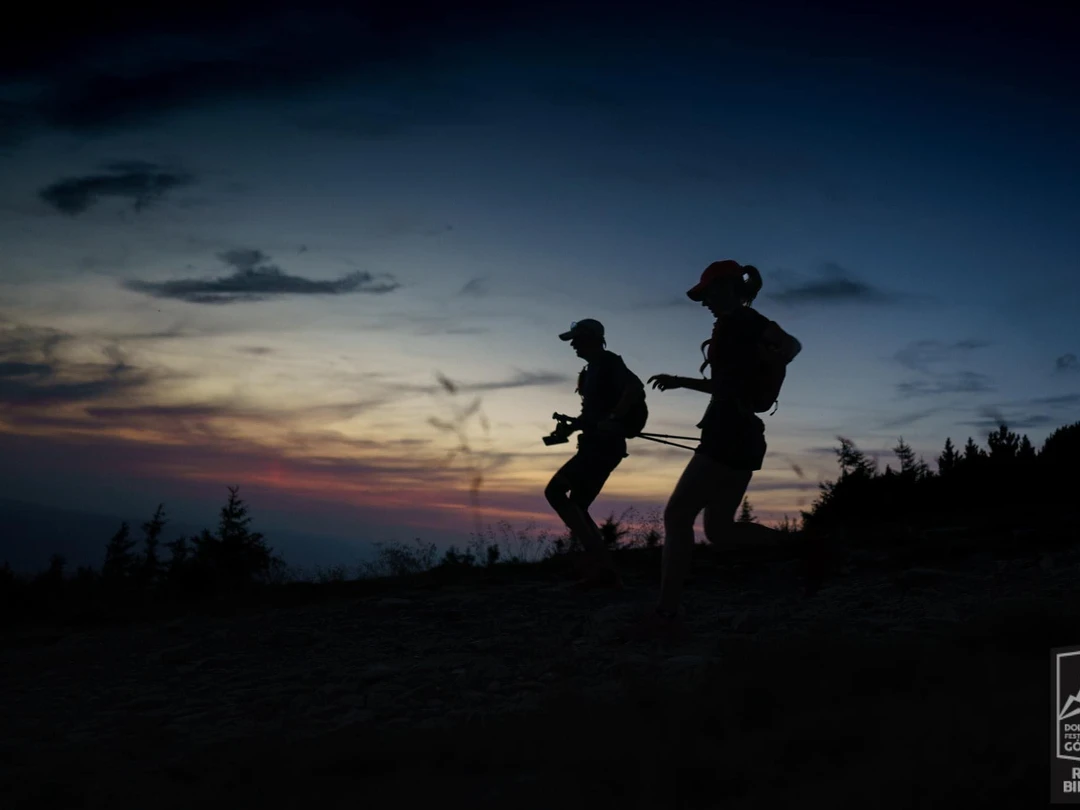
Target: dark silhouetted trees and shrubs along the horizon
(1007, 485)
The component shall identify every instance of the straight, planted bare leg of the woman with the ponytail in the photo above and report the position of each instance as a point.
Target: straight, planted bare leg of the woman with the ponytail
(691, 496)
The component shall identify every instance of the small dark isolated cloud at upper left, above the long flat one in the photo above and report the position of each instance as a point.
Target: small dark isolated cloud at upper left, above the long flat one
(144, 184)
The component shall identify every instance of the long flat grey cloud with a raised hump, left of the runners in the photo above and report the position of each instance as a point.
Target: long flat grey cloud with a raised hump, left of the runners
(254, 280)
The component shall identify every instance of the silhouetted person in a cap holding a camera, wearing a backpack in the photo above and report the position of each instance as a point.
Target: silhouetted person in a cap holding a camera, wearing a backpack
(611, 395)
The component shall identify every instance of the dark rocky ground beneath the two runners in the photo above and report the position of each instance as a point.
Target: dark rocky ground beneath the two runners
(889, 687)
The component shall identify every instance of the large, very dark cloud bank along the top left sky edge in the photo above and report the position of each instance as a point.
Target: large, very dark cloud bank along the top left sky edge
(161, 61)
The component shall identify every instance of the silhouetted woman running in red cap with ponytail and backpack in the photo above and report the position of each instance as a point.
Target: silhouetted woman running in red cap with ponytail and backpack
(747, 356)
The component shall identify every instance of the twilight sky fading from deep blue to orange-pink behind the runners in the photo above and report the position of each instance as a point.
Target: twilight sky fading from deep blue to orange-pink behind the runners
(241, 246)
